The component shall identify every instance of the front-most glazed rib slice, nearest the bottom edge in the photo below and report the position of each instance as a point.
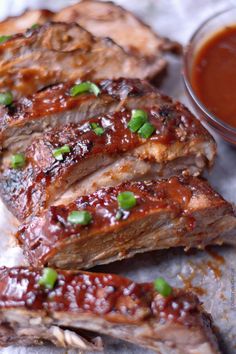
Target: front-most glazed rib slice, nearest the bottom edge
(103, 303)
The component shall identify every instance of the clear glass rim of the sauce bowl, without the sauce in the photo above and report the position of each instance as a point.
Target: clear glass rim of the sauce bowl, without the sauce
(186, 78)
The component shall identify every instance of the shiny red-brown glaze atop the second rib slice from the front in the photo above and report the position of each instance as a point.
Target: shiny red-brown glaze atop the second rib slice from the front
(44, 236)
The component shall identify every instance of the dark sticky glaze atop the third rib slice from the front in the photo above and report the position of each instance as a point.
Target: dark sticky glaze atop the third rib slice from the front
(28, 190)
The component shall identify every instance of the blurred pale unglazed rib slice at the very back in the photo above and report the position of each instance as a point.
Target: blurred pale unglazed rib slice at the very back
(106, 19)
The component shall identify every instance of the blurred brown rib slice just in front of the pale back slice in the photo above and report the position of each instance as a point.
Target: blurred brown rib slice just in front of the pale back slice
(58, 52)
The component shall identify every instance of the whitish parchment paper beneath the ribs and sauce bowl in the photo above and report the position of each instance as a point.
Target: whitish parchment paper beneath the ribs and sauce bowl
(213, 280)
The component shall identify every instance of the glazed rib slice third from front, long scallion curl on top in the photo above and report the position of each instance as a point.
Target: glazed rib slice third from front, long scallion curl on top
(54, 106)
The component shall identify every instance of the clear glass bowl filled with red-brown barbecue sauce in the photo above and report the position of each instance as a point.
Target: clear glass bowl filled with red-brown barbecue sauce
(209, 73)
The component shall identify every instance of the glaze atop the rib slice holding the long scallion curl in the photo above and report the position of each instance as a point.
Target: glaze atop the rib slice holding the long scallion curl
(56, 99)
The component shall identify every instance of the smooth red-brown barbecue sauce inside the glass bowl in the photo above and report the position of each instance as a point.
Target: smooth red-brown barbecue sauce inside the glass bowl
(214, 75)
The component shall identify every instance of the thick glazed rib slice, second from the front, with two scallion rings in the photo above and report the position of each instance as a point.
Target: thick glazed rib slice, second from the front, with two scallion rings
(168, 213)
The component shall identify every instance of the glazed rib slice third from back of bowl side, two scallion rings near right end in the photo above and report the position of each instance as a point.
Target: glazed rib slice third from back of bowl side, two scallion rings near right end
(179, 144)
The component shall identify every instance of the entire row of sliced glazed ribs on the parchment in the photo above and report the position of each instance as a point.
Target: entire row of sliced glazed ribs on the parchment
(172, 205)
